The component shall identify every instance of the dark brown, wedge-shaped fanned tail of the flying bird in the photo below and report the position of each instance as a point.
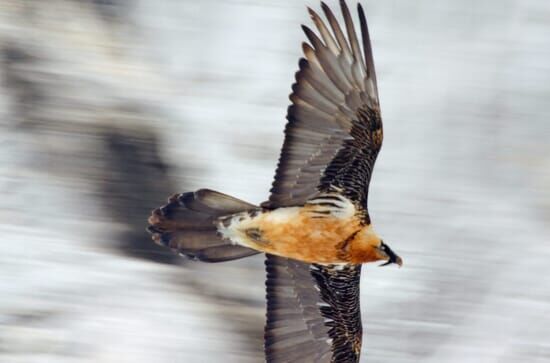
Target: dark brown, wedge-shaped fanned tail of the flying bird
(187, 224)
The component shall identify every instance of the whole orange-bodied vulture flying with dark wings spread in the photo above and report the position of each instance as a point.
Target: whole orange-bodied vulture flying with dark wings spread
(315, 229)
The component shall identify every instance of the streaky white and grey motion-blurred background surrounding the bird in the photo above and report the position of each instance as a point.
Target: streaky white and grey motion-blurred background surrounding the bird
(107, 107)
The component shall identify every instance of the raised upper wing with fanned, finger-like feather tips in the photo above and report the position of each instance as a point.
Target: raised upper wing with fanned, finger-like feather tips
(334, 129)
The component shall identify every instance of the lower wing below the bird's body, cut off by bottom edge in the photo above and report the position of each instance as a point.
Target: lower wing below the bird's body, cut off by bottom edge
(313, 312)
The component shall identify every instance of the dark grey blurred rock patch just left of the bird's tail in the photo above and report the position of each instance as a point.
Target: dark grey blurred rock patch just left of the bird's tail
(133, 180)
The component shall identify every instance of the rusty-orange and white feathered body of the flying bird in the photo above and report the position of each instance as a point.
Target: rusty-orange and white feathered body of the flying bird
(327, 230)
